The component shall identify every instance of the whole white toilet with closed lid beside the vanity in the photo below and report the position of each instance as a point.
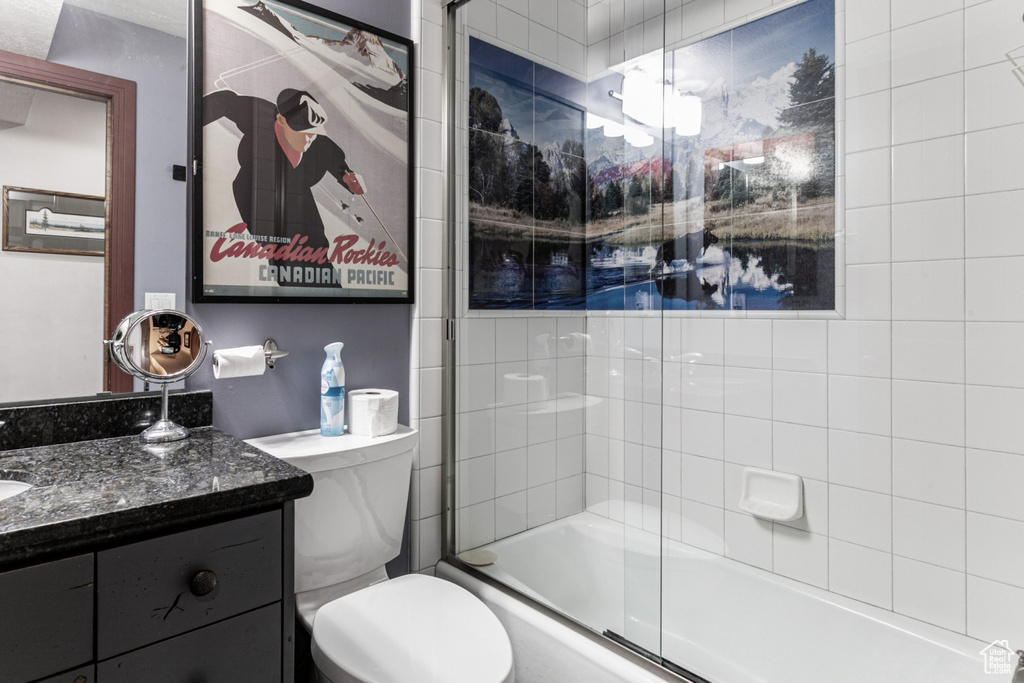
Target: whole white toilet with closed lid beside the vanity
(365, 627)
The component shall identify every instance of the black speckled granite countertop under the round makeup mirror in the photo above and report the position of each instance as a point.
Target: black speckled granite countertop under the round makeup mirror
(91, 494)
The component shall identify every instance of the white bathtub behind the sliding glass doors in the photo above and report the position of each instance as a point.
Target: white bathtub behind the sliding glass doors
(724, 621)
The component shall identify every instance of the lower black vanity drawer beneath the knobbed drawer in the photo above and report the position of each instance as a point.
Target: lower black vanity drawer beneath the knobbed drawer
(244, 649)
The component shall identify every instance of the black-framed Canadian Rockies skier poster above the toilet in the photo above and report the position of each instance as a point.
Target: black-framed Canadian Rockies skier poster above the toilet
(303, 141)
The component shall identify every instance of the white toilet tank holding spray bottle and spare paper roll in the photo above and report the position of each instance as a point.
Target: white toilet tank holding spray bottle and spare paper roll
(354, 521)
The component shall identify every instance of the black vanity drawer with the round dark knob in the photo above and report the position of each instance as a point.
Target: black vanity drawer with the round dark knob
(151, 590)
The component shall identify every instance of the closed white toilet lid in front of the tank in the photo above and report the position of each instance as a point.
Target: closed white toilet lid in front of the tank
(414, 628)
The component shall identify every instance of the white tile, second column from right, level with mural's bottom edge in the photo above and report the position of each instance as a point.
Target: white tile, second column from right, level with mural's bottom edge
(928, 291)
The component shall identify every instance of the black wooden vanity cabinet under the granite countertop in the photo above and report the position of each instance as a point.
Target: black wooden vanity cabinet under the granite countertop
(203, 605)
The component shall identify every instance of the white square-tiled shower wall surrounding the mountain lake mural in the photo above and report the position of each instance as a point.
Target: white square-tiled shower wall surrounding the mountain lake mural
(904, 417)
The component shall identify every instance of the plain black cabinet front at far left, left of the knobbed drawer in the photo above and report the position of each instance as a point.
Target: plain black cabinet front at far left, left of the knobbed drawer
(47, 623)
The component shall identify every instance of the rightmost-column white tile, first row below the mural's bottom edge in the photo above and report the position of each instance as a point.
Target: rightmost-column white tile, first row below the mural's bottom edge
(993, 355)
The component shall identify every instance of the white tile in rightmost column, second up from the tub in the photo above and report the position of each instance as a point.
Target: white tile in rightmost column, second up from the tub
(993, 551)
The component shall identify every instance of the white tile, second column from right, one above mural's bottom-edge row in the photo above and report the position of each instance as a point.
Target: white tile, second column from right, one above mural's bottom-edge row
(928, 231)
